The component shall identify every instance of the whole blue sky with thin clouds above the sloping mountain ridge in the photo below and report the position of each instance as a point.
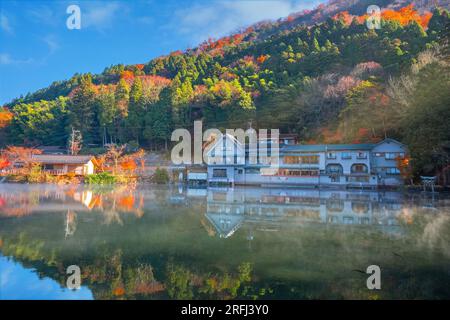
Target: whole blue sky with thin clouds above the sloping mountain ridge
(36, 47)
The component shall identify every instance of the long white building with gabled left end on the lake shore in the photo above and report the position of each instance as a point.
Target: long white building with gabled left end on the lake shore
(347, 165)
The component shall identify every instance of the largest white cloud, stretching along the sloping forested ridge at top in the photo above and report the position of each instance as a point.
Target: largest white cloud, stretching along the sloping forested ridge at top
(219, 18)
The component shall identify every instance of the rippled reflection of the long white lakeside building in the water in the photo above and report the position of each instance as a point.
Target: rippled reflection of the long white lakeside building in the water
(272, 209)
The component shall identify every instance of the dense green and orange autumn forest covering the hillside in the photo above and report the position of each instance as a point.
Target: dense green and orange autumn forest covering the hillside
(328, 79)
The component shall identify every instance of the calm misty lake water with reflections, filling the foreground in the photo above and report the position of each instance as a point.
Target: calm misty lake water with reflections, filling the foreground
(151, 242)
